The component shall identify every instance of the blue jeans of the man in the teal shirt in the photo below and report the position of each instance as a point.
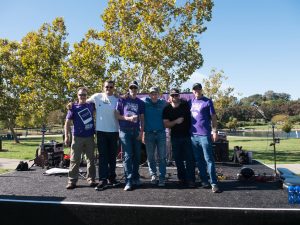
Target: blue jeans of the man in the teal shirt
(156, 140)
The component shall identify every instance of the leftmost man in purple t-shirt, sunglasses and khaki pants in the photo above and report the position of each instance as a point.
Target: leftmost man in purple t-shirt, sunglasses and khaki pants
(81, 113)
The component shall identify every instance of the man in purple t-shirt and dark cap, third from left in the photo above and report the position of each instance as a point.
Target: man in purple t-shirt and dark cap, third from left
(130, 113)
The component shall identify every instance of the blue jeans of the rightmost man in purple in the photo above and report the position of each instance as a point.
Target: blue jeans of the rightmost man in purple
(202, 147)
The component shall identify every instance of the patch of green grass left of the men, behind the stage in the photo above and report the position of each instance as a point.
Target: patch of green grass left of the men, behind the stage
(25, 150)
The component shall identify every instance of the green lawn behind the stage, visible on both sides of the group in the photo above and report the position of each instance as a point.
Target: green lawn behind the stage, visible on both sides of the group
(288, 150)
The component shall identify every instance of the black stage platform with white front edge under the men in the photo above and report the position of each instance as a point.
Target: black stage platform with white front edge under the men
(29, 197)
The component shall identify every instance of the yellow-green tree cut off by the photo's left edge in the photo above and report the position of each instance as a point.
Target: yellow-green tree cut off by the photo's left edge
(10, 66)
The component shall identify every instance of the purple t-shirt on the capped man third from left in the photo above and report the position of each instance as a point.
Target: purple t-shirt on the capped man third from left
(130, 107)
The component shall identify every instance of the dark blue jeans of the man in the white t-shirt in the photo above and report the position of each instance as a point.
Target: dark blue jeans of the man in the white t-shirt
(107, 143)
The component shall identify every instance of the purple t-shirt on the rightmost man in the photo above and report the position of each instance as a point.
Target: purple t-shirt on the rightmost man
(201, 109)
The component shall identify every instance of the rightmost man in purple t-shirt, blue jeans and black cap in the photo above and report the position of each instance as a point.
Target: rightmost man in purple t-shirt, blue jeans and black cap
(204, 121)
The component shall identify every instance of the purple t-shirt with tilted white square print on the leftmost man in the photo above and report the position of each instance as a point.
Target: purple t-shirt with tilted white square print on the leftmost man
(83, 121)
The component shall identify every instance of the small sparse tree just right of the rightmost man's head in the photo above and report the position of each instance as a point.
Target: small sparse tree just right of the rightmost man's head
(223, 98)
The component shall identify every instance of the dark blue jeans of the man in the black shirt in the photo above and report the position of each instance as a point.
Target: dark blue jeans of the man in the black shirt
(182, 151)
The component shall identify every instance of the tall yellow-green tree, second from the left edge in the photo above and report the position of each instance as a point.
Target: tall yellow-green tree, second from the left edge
(42, 54)
